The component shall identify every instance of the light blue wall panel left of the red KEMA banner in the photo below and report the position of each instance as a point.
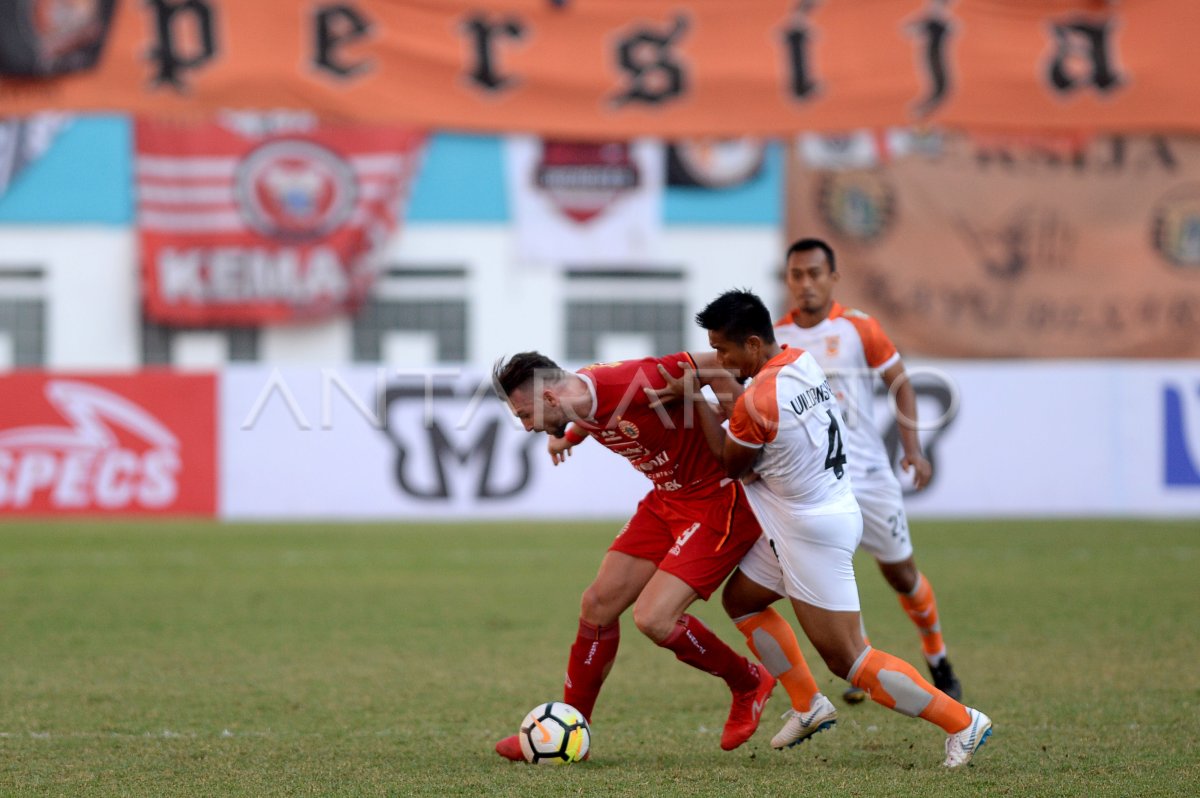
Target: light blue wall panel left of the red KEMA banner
(86, 178)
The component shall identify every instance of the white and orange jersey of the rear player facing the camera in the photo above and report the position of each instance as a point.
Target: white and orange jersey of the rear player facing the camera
(851, 347)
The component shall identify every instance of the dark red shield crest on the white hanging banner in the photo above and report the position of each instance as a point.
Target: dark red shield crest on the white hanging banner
(584, 178)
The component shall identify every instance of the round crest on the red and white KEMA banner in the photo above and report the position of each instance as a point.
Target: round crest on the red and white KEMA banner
(296, 190)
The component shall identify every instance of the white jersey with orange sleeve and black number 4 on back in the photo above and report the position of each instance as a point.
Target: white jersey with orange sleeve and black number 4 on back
(790, 412)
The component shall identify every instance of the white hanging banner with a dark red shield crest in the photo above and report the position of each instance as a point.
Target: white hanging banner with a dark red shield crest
(586, 203)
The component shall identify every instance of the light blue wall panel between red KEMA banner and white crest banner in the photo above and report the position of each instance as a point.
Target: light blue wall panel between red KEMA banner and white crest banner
(461, 181)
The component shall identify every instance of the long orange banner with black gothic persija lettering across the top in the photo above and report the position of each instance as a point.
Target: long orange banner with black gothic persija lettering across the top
(615, 69)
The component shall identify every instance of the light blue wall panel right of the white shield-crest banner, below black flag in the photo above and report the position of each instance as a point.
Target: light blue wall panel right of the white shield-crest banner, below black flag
(758, 202)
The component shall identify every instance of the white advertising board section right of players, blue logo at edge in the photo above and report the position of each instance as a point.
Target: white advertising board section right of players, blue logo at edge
(1060, 439)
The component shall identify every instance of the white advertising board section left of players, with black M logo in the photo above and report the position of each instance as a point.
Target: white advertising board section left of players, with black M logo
(377, 443)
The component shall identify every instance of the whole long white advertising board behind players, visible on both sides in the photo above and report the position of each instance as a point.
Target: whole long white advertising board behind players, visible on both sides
(1021, 440)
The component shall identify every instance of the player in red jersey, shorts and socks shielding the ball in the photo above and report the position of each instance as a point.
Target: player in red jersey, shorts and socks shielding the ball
(686, 537)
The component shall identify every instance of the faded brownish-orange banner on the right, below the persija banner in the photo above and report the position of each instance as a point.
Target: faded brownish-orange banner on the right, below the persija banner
(1067, 247)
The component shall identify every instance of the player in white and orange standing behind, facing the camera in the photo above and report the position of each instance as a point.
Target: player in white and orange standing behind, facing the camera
(853, 349)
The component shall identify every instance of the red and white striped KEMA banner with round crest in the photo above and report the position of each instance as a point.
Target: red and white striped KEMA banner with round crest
(257, 219)
